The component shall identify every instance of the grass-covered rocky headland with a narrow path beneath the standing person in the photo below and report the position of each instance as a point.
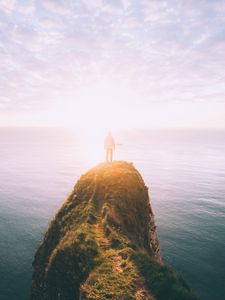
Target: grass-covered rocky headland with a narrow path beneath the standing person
(102, 243)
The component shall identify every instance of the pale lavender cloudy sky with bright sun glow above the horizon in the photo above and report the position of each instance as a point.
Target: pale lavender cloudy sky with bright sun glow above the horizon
(112, 63)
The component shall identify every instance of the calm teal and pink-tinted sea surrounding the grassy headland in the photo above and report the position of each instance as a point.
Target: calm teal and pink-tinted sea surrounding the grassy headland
(185, 172)
